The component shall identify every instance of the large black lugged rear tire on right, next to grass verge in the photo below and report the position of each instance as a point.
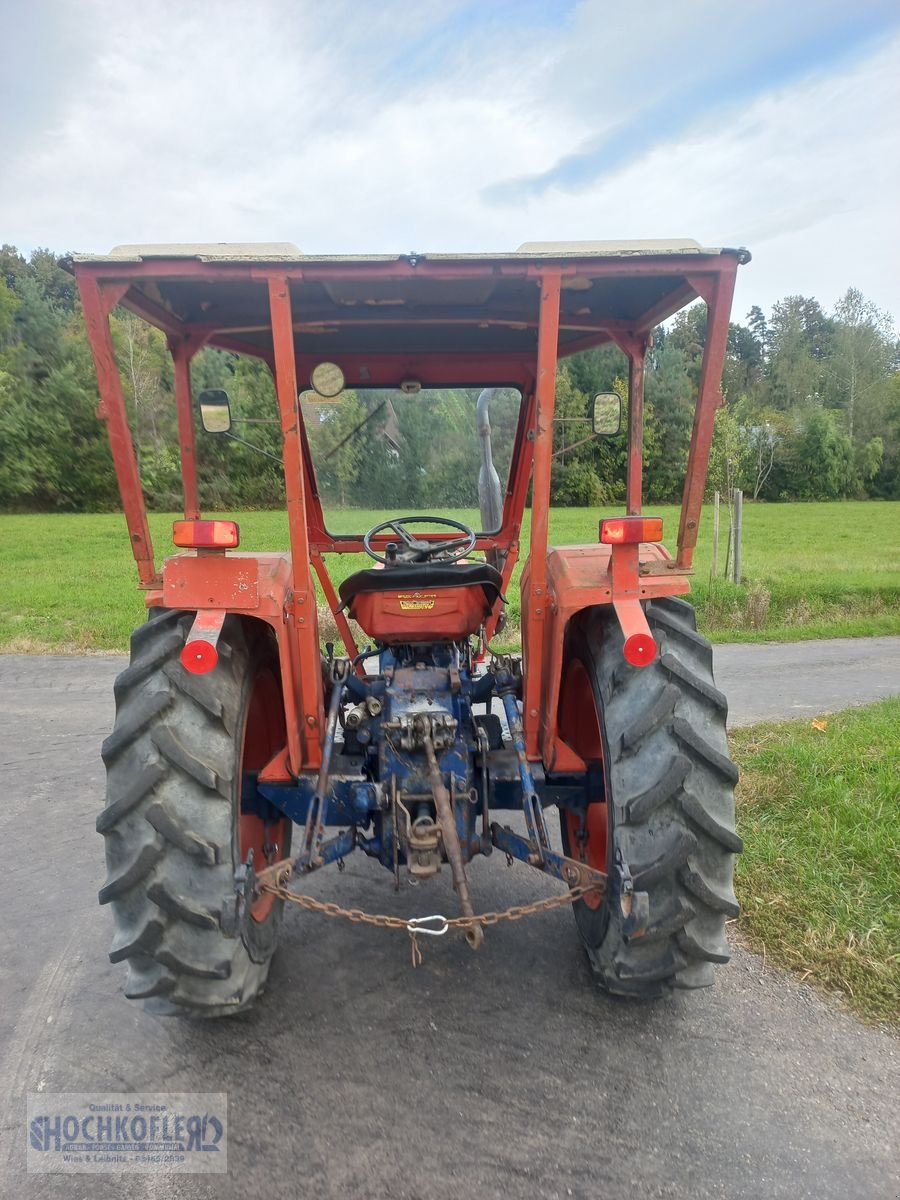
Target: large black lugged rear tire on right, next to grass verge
(665, 799)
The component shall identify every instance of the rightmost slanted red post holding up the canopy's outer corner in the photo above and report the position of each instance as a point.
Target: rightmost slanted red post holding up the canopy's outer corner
(717, 291)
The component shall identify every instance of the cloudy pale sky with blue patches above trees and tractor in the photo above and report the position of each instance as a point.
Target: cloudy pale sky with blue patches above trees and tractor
(398, 125)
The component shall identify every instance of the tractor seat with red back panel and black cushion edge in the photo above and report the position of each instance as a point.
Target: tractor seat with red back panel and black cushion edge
(419, 603)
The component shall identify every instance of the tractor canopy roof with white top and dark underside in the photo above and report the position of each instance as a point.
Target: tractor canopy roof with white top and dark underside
(349, 305)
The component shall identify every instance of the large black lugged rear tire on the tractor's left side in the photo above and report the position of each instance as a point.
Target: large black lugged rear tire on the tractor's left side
(172, 823)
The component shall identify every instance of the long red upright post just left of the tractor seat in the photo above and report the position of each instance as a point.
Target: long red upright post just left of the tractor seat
(303, 603)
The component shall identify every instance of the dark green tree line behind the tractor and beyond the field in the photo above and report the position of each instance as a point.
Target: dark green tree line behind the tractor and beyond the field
(813, 412)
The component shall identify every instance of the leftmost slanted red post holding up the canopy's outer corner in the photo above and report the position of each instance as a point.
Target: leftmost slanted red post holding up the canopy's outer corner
(112, 410)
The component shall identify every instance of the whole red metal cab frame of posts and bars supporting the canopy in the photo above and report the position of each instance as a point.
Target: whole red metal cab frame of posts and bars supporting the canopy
(106, 284)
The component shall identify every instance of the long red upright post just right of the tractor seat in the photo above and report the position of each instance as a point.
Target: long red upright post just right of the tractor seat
(537, 599)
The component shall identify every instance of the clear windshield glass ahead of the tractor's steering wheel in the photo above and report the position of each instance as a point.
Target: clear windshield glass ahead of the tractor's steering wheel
(382, 453)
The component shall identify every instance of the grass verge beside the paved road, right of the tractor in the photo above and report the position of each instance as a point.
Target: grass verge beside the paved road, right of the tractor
(820, 878)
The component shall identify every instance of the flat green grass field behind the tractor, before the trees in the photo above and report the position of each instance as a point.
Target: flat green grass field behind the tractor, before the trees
(813, 571)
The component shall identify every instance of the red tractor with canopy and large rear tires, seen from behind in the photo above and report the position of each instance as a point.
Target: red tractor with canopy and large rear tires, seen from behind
(232, 723)
